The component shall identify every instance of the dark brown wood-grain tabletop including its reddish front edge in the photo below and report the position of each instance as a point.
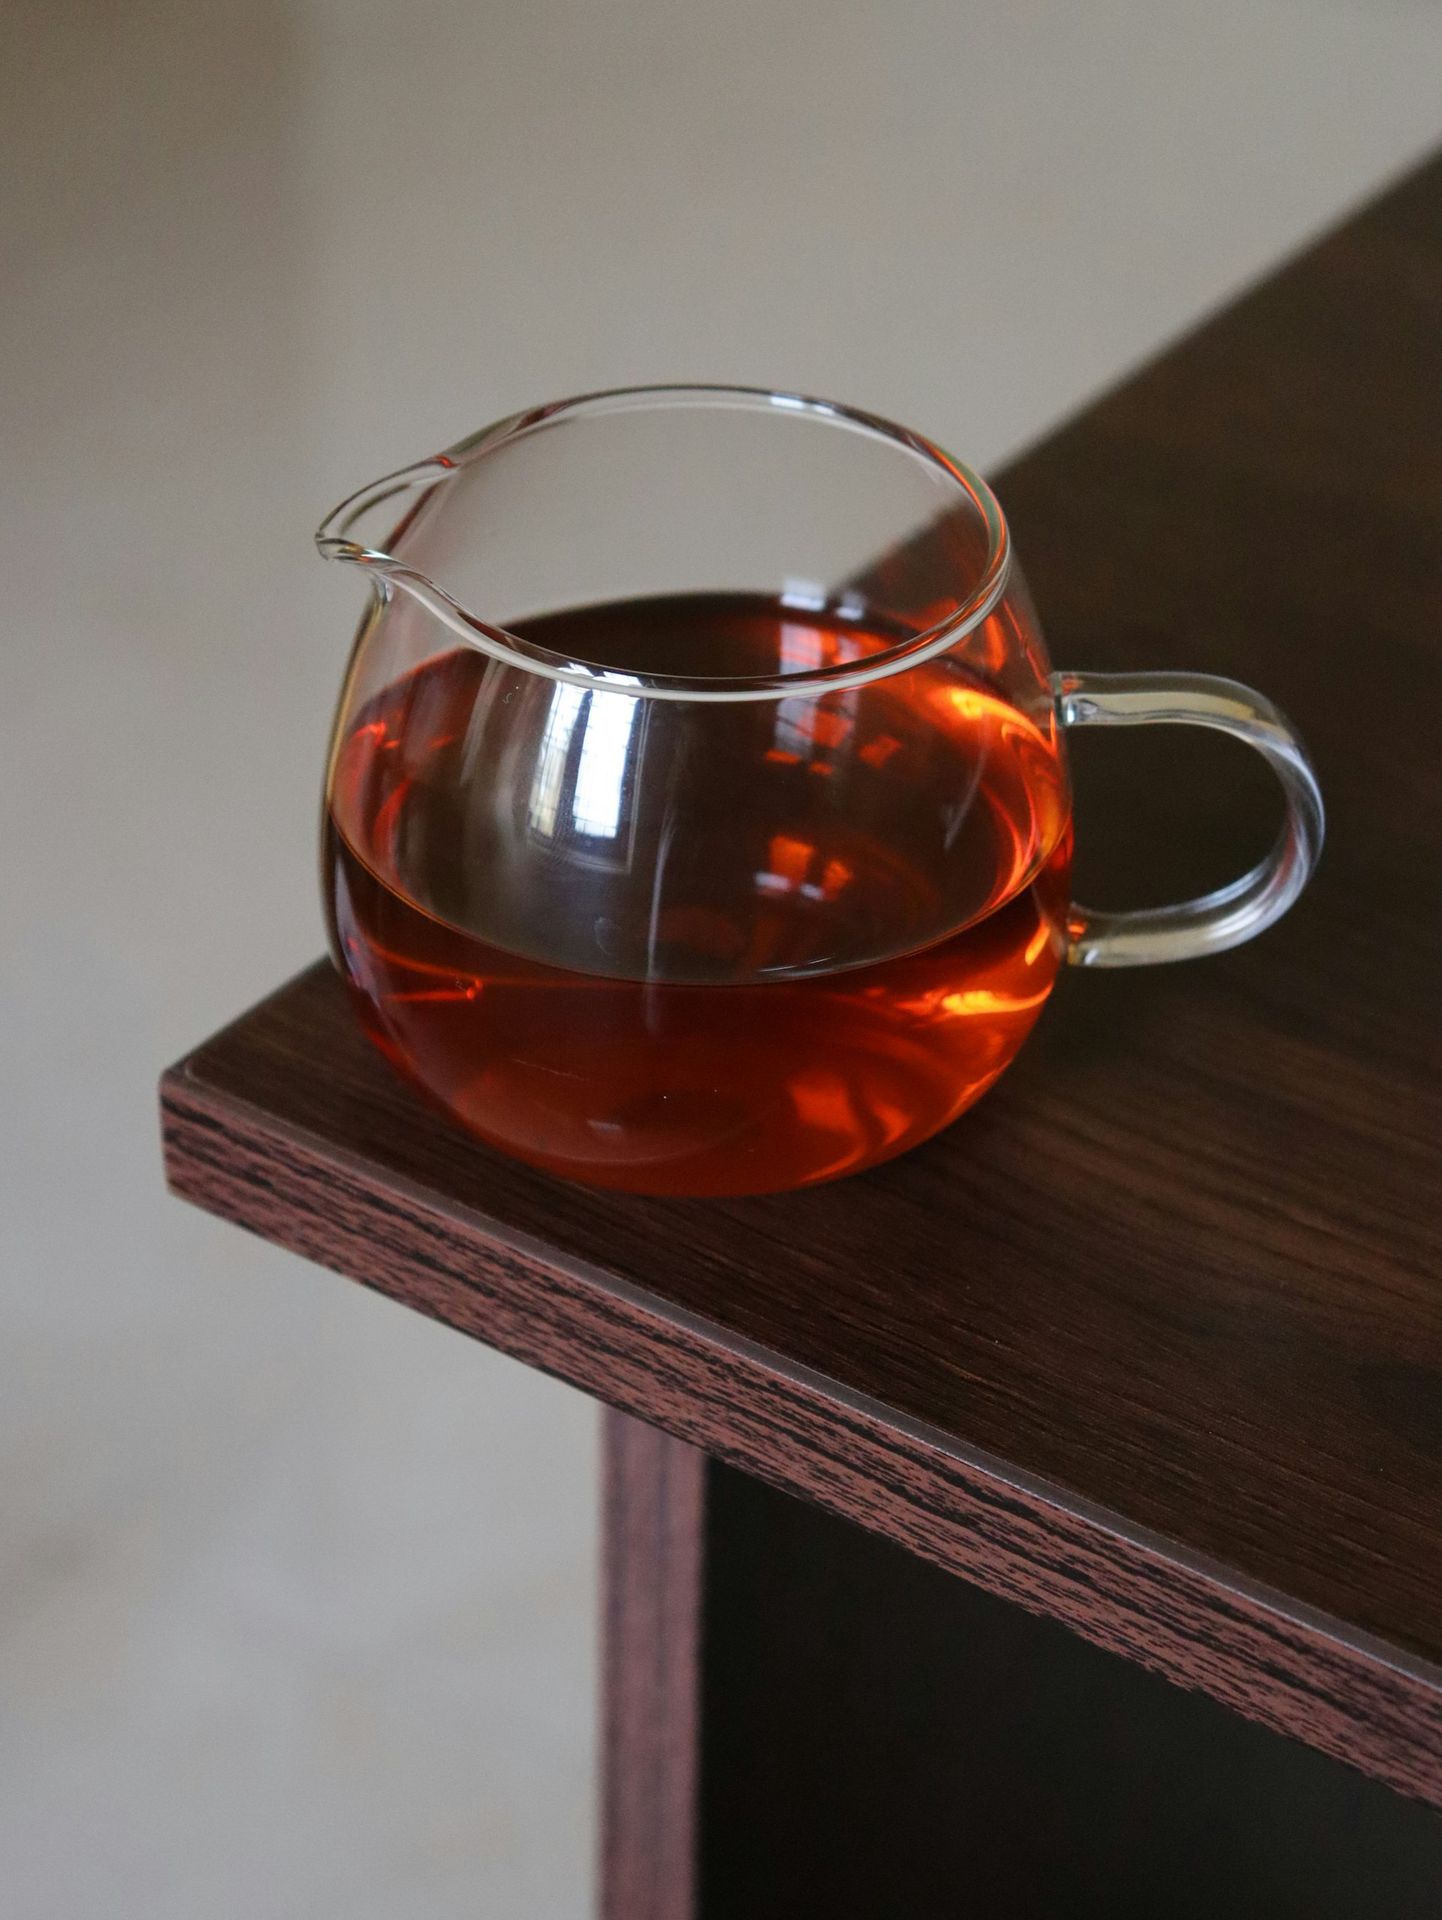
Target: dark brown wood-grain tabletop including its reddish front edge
(1153, 1339)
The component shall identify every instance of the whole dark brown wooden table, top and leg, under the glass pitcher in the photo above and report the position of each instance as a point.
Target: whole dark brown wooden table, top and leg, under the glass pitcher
(1136, 1376)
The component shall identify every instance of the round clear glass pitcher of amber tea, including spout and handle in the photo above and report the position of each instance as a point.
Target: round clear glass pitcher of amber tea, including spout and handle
(698, 813)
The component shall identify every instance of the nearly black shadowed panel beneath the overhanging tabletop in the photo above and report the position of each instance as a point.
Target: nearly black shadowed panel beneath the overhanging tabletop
(882, 1740)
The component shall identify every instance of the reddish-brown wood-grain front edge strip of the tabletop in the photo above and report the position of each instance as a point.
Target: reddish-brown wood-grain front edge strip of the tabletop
(1147, 1598)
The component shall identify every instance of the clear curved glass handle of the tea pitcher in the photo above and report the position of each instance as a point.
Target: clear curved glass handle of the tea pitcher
(1234, 913)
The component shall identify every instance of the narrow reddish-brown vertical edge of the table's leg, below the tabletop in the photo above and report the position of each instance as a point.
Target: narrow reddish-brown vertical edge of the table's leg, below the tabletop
(652, 1646)
